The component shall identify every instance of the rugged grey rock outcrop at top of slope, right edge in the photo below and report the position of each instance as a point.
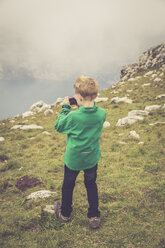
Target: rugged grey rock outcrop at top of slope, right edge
(155, 56)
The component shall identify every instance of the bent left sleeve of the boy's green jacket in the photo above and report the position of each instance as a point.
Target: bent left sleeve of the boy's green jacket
(64, 122)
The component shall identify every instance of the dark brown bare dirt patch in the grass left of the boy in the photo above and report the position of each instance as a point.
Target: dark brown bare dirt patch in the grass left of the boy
(26, 182)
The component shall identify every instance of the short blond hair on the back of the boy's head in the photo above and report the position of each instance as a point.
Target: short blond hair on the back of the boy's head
(87, 87)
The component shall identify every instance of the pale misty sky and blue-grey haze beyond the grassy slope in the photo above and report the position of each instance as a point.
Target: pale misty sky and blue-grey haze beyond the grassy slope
(46, 44)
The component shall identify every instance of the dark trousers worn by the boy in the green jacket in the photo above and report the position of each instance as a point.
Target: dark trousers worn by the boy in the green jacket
(91, 187)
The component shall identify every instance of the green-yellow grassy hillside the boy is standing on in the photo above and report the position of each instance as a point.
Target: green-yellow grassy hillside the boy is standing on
(131, 178)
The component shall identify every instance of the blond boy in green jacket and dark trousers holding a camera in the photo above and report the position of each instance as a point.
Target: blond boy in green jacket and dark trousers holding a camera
(83, 128)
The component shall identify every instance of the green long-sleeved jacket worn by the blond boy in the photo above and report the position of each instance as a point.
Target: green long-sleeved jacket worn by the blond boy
(83, 128)
